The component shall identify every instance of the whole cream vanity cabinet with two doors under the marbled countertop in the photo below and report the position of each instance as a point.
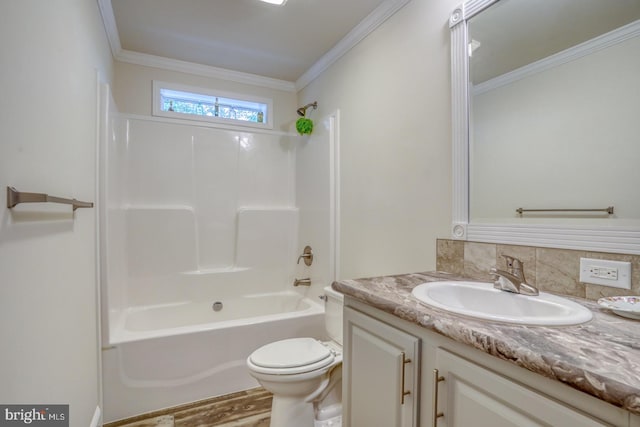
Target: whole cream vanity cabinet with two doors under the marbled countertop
(476, 389)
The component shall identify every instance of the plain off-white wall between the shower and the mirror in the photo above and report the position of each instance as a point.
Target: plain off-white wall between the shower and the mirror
(393, 93)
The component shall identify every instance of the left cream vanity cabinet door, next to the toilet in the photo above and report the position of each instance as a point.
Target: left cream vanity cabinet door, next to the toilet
(380, 373)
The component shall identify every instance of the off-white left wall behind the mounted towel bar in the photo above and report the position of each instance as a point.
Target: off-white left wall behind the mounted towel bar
(50, 53)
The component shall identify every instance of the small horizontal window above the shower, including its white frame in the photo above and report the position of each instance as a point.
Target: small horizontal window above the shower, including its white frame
(177, 101)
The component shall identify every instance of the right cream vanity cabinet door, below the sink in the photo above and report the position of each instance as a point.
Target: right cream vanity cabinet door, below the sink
(471, 395)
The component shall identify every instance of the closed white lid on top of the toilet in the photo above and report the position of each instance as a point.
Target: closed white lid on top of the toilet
(291, 353)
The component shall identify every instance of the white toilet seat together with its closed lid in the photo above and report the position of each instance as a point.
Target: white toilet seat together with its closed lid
(291, 356)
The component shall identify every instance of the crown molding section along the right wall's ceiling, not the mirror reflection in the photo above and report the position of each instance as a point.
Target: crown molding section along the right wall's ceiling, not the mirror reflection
(355, 36)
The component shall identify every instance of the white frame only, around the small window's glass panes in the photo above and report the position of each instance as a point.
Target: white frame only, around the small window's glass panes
(158, 112)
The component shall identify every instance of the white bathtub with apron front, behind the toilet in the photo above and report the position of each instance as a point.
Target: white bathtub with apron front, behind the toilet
(169, 354)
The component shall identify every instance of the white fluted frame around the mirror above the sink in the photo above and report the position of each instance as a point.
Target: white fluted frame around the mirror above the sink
(588, 237)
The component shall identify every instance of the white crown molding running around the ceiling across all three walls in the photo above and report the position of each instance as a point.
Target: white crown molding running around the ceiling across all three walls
(364, 28)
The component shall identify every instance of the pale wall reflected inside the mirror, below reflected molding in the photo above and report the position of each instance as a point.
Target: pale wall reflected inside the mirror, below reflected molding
(572, 144)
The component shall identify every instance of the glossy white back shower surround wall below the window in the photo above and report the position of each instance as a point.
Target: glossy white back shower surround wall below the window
(181, 195)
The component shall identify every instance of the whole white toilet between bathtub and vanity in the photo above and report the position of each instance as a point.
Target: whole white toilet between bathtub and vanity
(304, 374)
